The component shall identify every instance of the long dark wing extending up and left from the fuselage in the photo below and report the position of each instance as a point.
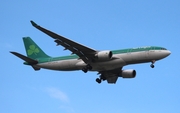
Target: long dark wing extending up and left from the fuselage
(85, 53)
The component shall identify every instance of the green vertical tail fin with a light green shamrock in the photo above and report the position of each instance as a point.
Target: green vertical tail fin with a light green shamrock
(33, 50)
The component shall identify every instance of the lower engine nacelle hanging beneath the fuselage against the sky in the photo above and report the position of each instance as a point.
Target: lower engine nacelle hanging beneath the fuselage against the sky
(128, 73)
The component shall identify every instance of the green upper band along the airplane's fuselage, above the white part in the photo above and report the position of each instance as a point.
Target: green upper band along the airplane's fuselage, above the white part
(121, 51)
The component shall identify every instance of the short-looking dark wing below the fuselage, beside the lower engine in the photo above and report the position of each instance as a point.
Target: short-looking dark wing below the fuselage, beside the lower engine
(111, 76)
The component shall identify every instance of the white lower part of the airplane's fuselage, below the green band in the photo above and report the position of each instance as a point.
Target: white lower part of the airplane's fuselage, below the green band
(117, 61)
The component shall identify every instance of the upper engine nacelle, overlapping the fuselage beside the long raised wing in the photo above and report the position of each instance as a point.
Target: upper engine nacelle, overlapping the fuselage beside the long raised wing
(104, 55)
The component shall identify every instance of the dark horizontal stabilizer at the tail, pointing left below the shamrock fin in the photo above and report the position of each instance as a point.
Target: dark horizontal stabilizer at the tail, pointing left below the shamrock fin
(28, 60)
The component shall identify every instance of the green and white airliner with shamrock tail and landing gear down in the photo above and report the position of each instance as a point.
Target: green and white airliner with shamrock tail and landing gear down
(107, 63)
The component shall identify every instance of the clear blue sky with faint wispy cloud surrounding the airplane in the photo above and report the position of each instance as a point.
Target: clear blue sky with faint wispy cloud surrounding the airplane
(101, 25)
